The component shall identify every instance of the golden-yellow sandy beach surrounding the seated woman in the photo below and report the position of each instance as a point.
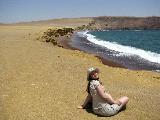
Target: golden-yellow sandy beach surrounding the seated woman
(40, 81)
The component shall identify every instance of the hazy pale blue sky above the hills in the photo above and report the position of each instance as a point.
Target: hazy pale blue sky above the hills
(32, 10)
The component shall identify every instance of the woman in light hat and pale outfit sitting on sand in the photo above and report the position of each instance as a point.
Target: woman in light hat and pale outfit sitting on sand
(102, 103)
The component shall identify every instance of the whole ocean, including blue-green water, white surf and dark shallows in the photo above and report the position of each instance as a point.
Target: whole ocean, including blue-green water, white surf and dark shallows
(133, 49)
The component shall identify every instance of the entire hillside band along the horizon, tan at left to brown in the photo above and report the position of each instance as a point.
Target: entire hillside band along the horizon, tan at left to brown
(102, 22)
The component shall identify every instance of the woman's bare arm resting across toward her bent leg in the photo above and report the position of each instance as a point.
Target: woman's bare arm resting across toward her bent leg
(105, 96)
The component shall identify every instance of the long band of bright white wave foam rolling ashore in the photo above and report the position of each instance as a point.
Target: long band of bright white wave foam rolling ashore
(124, 50)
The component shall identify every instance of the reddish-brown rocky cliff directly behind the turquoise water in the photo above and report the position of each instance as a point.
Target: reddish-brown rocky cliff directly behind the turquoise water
(125, 22)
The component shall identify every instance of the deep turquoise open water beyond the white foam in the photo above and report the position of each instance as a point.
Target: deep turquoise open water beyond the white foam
(148, 40)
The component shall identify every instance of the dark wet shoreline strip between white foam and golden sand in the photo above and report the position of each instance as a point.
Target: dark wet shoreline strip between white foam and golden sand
(81, 43)
